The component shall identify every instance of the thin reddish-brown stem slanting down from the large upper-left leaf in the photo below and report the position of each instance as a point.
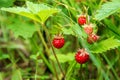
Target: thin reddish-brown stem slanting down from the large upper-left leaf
(47, 33)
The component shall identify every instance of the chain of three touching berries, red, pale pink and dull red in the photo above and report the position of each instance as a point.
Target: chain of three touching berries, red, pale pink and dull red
(88, 28)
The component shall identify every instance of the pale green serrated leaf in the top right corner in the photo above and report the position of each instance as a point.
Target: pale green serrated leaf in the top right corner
(107, 9)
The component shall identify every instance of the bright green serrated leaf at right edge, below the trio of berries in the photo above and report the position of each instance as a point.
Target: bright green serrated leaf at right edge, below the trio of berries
(105, 45)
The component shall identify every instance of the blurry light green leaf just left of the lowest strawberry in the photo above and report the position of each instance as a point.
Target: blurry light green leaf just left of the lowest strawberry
(63, 58)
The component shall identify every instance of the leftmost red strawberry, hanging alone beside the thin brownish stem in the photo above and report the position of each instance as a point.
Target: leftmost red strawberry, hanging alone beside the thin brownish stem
(58, 41)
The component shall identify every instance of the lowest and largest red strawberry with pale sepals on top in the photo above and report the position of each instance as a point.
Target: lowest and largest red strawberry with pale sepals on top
(82, 56)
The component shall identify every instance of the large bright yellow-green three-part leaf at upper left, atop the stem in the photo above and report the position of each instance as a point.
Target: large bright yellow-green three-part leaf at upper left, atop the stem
(37, 12)
